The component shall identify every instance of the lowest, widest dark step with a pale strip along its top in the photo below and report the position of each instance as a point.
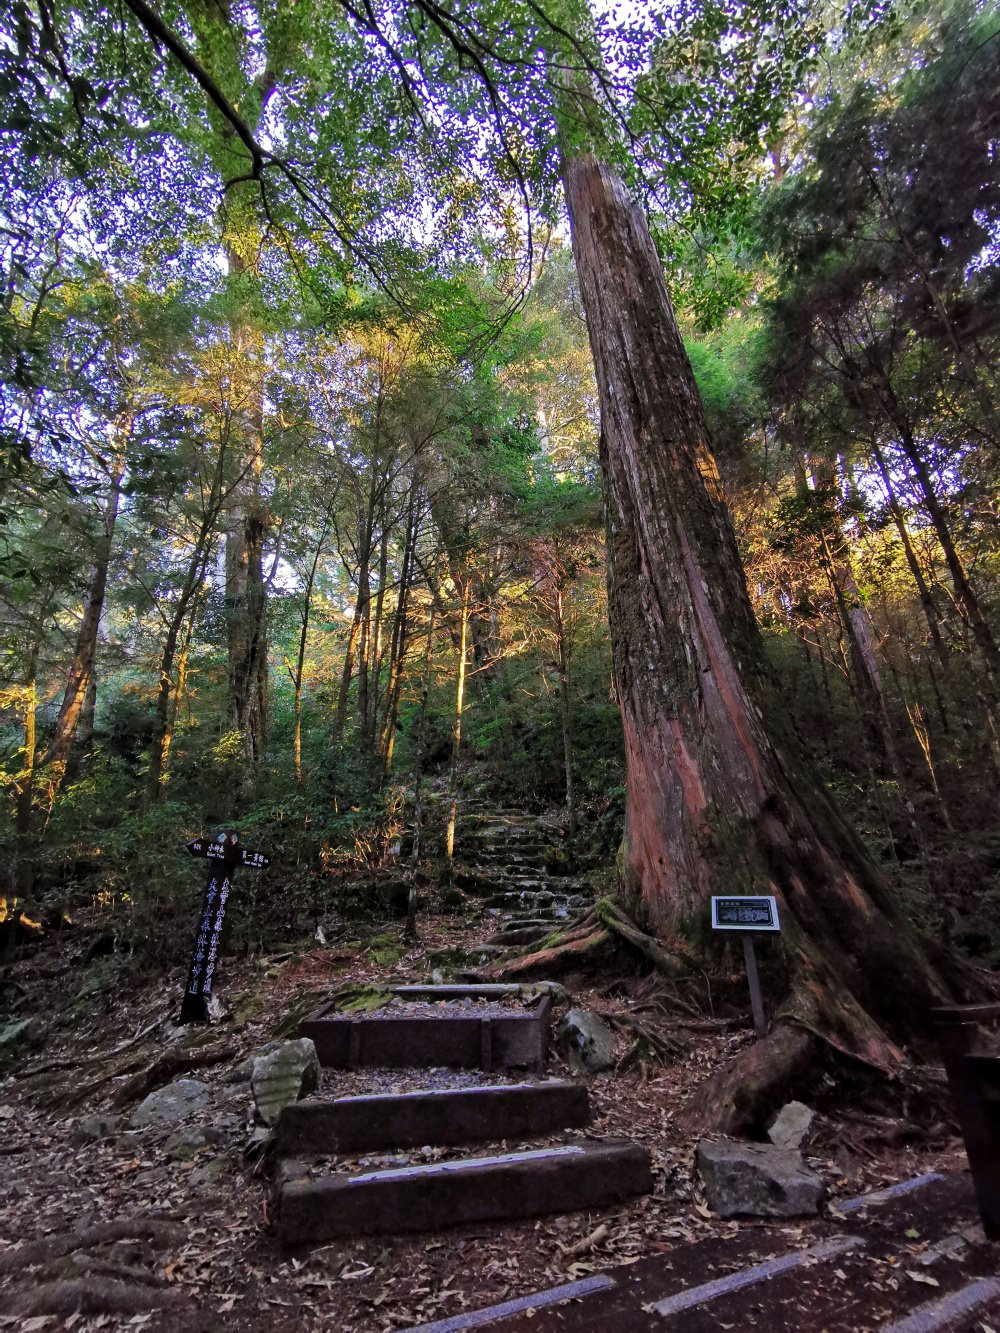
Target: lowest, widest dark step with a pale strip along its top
(458, 1194)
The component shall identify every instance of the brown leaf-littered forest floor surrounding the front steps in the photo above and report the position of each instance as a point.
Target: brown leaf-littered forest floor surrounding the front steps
(102, 1223)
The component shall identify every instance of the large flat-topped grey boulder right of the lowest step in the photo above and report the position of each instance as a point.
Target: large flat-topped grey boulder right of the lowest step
(758, 1180)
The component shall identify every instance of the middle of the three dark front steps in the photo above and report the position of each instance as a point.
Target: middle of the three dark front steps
(318, 1127)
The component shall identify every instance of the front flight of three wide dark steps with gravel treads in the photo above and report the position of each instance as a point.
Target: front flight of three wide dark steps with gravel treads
(538, 1158)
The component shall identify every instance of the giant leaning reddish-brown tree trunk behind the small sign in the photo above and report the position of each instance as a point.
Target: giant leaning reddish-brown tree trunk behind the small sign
(721, 792)
